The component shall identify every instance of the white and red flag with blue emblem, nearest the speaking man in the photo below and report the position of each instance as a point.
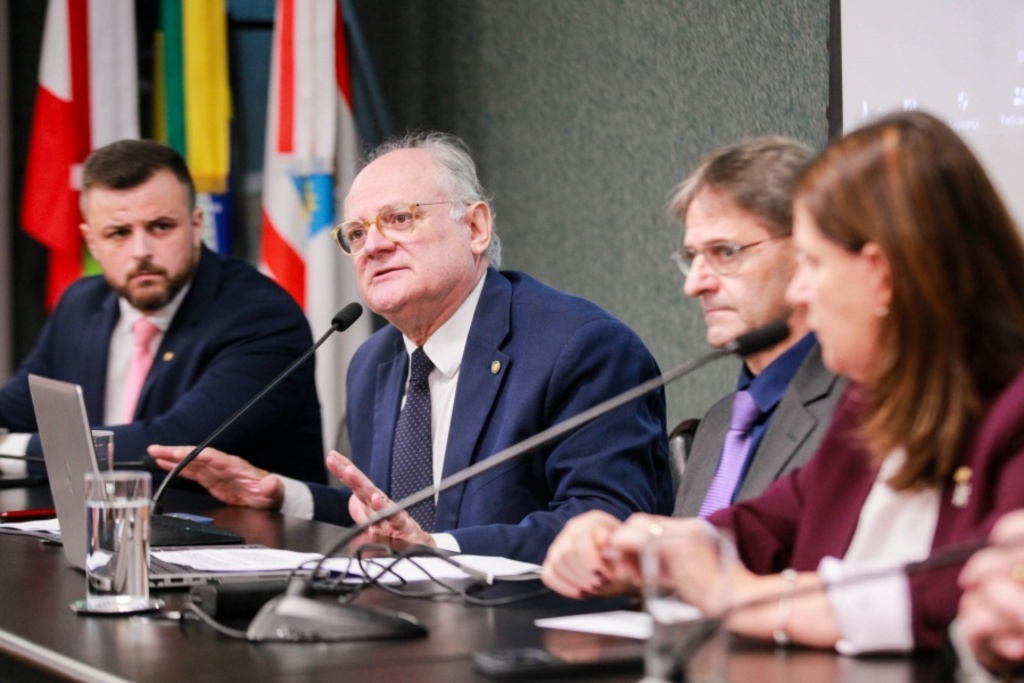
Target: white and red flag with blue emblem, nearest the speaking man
(310, 162)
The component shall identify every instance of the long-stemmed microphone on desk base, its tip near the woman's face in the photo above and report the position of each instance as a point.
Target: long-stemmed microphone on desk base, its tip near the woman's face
(296, 618)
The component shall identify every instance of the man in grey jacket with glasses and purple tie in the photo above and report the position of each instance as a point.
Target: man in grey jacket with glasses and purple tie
(738, 260)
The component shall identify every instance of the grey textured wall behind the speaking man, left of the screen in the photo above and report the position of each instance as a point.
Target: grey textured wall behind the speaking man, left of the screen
(584, 115)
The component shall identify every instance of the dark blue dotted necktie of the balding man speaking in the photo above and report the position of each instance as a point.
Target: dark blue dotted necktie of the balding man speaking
(412, 457)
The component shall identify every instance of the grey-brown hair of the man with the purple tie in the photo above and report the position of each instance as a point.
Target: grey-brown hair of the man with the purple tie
(758, 176)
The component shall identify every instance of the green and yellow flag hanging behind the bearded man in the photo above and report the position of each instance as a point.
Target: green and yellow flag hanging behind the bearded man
(193, 103)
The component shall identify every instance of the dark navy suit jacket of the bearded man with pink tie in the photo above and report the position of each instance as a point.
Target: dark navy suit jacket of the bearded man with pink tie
(235, 331)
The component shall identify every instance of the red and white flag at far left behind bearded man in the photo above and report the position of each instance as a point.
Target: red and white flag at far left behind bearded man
(88, 98)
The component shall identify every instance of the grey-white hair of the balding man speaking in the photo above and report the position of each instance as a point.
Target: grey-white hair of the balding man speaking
(457, 180)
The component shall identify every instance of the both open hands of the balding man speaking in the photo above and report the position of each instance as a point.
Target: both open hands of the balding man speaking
(236, 482)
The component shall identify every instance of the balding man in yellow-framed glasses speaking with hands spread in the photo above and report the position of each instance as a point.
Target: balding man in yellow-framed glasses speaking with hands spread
(475, 361)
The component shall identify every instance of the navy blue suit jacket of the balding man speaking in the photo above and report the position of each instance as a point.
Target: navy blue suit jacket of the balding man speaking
(535, 357)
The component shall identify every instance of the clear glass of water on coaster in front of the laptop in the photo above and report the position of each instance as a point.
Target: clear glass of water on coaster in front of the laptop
(117, 507)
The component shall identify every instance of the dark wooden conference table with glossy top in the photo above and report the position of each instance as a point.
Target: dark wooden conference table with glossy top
(42, 641)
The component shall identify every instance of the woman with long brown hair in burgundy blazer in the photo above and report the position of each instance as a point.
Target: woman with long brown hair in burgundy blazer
(913, 274)
